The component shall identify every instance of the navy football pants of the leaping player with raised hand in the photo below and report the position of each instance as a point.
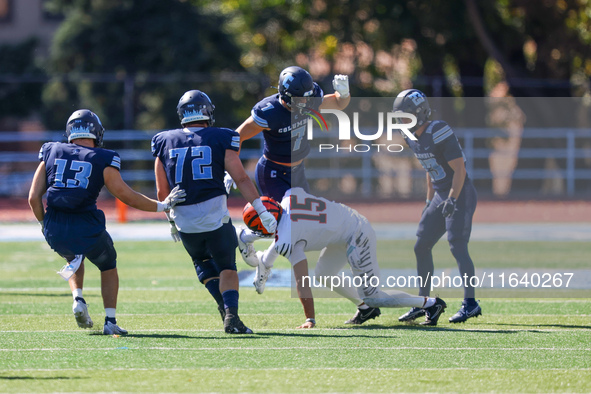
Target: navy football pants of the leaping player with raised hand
(274, 179)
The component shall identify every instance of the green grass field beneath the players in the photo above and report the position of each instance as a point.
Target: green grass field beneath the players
(176, 342)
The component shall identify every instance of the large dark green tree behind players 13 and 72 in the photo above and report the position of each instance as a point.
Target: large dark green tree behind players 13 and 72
(132, 38)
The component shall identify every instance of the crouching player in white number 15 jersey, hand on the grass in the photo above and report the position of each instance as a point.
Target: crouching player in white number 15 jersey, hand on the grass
(310, 223)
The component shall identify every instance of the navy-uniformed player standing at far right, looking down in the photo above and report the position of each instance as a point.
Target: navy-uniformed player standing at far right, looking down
(451, 199)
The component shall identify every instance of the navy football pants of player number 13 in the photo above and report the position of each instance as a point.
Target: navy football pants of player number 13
(84, 233)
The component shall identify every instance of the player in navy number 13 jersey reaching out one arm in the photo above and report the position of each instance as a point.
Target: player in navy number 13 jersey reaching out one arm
(73, 174)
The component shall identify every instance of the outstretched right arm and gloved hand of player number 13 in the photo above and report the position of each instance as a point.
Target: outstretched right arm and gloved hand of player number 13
(117, 186)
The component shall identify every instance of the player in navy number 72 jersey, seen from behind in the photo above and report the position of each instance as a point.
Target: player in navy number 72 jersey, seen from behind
(196, 157)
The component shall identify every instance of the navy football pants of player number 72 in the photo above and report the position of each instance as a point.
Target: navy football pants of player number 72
(212, 251)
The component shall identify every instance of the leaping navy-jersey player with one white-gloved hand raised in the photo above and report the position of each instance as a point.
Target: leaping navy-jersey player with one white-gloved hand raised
(285, 144)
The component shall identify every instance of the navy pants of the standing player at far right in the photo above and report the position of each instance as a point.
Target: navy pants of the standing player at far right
(459, 226)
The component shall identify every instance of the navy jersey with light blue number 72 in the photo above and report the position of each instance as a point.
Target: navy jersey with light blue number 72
(194, 158)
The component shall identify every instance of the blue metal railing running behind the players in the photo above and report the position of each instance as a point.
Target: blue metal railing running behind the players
(571, 148)
